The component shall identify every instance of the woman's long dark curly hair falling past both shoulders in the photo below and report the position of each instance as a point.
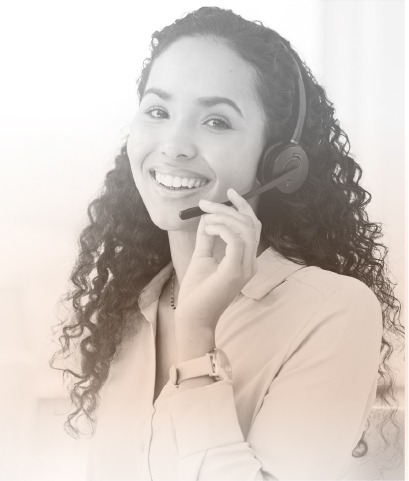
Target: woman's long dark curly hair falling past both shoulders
(324, 224)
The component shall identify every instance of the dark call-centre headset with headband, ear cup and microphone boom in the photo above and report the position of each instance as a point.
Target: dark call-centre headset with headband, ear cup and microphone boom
(282, 165)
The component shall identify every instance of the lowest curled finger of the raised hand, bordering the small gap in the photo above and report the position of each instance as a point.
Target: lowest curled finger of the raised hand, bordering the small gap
(231, 263)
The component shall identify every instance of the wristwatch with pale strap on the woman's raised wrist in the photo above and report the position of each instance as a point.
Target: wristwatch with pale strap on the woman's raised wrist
(214, 364)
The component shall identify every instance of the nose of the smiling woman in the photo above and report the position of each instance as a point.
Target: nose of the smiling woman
(178, 144)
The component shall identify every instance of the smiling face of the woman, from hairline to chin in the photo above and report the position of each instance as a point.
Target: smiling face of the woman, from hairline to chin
(197, 132)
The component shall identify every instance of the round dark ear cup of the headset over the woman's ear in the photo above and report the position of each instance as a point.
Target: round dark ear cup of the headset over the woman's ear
(277, 159)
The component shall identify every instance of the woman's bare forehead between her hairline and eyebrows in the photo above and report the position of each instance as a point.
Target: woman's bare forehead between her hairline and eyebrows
(204, 66)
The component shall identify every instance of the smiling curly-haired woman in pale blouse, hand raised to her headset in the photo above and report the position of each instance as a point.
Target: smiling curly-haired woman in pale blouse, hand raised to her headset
(290, 289)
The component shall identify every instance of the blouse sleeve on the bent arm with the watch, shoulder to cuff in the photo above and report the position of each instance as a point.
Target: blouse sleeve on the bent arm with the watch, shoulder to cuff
(313, 413)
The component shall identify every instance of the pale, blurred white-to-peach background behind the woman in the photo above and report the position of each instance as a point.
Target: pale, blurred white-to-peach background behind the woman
(67, 95)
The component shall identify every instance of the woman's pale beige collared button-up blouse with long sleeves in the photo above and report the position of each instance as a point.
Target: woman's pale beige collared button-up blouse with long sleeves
(304, 345)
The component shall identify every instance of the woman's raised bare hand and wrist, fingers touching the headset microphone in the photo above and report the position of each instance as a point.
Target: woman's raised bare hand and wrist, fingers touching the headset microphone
(211, 284)
